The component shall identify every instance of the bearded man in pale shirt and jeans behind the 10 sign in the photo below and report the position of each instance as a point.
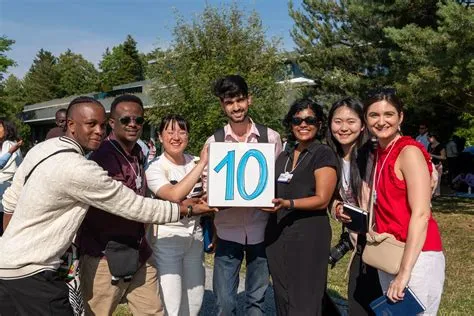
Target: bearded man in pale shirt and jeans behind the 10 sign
(240, 231)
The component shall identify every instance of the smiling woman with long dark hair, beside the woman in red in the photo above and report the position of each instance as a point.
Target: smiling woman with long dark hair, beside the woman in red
(348, 137)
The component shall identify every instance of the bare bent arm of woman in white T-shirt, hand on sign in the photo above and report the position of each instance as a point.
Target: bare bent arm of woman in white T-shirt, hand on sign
(179, 191)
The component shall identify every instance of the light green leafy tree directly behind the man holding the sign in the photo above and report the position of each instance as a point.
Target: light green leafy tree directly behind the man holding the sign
(216, 43)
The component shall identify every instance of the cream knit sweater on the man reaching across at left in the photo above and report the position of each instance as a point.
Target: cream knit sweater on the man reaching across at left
(49, 209)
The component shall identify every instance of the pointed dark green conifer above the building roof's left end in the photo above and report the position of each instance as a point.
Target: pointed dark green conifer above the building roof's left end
(42, 82)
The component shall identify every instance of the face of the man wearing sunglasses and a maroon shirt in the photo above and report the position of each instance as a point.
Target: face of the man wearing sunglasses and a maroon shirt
(127, 122)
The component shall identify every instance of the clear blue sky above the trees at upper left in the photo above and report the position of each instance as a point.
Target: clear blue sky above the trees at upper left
(89, 27)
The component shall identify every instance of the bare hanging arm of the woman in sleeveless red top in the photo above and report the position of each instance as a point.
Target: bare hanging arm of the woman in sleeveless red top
(411, 166)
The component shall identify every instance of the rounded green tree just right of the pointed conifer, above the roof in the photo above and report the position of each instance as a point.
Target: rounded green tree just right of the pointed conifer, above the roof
(77, 75)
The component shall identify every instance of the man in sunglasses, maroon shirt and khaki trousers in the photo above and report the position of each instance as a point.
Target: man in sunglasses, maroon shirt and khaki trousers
(124, 160)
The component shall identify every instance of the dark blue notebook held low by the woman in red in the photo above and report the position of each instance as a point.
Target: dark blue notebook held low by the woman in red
(410, 305)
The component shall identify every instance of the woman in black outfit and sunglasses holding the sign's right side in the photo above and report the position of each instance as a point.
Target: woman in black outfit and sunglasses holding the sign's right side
(298, 234)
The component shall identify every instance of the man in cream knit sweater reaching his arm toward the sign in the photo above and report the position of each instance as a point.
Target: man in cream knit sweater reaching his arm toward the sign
(47, 209)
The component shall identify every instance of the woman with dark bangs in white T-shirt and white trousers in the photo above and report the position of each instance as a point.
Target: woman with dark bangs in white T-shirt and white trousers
(178, 247)
